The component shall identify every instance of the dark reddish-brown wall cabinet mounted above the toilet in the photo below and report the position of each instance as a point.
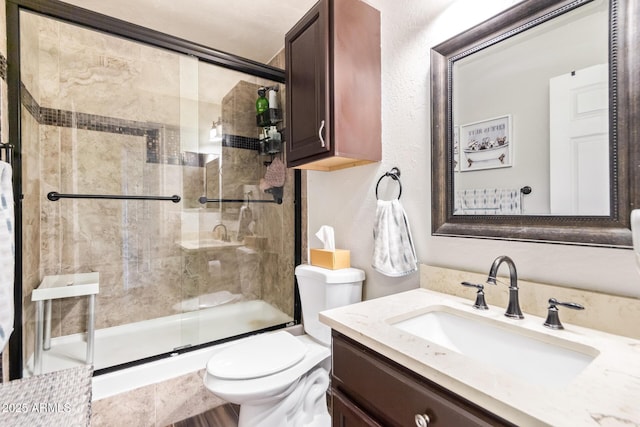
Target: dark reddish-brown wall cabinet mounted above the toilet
(333, 87)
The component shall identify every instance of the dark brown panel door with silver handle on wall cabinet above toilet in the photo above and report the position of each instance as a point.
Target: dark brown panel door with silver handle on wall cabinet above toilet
(307, 62)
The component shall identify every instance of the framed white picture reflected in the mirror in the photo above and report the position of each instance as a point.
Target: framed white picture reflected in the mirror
(486, 144)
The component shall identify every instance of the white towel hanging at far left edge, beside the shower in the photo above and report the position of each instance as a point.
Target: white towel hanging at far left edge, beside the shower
(7, 254)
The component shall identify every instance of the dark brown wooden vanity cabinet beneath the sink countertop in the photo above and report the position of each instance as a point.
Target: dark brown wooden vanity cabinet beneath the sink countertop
(370, 390)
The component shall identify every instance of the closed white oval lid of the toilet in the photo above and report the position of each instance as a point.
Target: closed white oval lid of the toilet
(257, 356)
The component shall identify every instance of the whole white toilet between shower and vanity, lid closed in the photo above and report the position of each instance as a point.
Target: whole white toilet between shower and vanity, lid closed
(278, 379)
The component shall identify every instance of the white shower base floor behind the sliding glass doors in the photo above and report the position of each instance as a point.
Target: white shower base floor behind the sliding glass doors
(134, 341)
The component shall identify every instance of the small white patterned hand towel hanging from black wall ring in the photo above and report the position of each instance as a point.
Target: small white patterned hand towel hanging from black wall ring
(393, 251)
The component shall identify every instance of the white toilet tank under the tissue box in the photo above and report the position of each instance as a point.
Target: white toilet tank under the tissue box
(322, 289)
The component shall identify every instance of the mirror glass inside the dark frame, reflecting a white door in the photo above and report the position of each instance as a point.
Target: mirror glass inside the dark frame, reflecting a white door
(530, 120)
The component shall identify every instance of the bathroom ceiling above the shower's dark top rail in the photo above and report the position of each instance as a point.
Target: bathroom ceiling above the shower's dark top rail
(248, 28)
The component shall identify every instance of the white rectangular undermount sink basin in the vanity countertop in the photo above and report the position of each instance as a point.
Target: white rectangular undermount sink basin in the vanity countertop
(535, 357)
